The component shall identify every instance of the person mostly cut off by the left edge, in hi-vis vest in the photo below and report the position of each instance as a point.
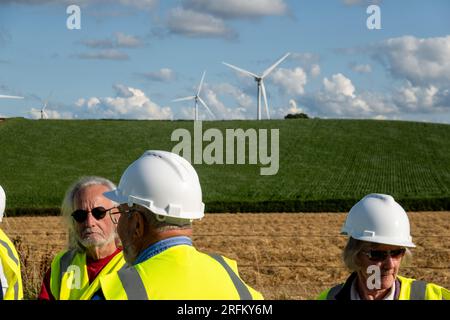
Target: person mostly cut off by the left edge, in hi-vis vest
(10, 277)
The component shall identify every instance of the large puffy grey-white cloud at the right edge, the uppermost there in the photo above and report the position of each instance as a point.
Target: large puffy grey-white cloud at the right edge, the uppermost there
(422, 61)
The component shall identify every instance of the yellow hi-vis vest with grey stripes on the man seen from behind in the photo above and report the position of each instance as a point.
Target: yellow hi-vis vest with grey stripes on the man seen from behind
(179, 273)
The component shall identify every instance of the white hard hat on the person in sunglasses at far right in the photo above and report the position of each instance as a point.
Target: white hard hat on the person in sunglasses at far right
(378, 218)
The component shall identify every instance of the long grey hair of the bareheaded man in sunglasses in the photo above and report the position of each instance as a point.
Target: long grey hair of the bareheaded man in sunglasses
(68, 205)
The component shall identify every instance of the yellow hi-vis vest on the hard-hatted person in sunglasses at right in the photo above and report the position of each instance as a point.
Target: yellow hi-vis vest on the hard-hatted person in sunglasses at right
(410, 289)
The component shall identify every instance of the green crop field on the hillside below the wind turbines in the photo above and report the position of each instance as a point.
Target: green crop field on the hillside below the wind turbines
(325, 165)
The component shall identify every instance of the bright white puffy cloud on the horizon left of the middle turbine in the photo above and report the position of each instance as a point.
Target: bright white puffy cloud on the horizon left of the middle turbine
(129, 103)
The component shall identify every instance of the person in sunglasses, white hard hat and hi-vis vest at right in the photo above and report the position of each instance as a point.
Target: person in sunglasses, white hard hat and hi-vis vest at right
(379, 242)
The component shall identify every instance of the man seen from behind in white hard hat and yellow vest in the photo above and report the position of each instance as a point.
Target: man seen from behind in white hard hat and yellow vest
(159, 196)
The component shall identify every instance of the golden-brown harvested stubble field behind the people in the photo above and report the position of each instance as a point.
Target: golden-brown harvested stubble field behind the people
(285, 256)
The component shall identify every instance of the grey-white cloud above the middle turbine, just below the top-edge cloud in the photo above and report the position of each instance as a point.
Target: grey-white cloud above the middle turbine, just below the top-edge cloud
(194, 24)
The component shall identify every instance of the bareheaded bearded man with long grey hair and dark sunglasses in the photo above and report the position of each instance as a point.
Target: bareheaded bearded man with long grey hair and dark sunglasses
(93, 249)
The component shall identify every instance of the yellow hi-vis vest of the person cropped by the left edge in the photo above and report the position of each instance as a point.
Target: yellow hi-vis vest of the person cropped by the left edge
(11, 268)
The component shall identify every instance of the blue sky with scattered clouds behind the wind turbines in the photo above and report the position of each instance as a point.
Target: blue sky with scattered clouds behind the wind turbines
(131, 58)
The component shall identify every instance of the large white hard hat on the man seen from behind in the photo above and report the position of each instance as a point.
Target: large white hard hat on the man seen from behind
(164, 183)
